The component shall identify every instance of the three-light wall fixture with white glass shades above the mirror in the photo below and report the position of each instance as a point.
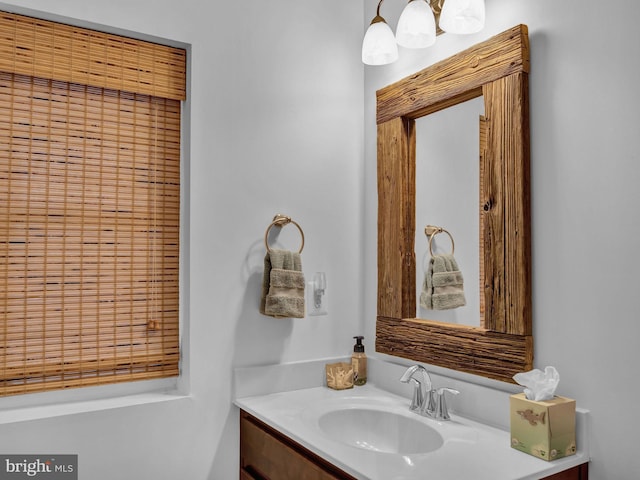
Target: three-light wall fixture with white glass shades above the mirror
(417, 27)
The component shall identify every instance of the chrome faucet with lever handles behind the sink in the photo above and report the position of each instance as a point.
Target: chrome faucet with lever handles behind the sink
(425, 400)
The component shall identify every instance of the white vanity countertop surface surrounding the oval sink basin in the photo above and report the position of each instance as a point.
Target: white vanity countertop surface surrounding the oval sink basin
(488, 457)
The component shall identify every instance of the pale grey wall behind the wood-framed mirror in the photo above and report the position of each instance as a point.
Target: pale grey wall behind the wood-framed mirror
(585, 171)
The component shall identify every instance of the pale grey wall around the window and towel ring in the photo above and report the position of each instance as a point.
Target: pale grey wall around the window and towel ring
(276, 126)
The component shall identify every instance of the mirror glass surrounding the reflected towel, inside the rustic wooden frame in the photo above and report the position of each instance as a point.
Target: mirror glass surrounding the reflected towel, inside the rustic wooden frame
(447, 172)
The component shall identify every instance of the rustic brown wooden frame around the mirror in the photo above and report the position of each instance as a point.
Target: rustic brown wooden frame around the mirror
(502, 346)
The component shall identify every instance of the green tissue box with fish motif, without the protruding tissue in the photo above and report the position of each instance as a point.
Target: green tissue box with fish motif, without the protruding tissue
(545, 429)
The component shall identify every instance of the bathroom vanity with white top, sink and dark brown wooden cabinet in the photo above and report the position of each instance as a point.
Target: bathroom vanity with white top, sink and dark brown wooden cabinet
(308, 434)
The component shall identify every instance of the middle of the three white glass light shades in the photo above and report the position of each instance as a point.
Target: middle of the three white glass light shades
(416, 26)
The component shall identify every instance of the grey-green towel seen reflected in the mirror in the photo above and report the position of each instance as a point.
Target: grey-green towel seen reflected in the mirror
(443, 284)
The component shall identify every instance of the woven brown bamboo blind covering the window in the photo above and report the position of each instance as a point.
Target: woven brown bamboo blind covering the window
(89, 206)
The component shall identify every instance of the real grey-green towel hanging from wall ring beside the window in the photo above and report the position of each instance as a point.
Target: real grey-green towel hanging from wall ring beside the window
(282, 285)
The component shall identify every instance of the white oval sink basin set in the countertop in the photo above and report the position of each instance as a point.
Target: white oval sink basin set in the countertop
(380, 431)
